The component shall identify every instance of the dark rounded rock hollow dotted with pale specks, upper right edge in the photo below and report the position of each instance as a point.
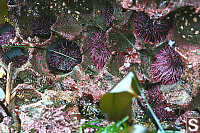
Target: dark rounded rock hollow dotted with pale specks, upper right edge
(187, 22)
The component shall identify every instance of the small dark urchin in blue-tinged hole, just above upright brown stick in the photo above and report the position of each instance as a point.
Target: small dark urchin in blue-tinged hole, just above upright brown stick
(17, 56)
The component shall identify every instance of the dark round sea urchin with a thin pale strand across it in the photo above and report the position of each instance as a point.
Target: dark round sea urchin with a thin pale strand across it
(63, 56)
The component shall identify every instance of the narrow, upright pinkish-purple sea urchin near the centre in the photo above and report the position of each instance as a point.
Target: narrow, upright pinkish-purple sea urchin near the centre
(99, 51)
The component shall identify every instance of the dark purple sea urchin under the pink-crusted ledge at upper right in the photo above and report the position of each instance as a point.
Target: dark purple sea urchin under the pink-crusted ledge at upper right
(151, 30)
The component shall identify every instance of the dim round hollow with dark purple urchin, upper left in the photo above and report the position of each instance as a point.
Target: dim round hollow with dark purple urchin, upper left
(35, 20)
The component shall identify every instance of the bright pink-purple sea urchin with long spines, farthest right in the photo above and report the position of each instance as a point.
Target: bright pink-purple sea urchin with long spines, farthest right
(167, 67)
